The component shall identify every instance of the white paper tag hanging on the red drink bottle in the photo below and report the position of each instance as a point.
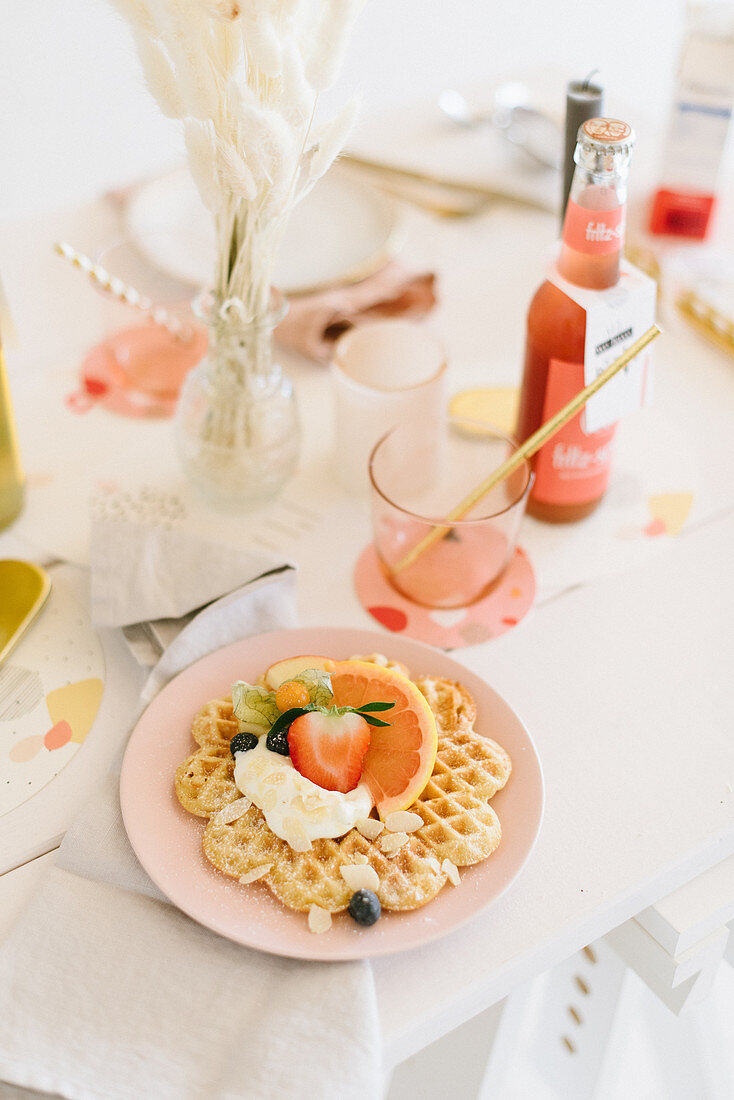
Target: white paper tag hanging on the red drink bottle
(616, 318)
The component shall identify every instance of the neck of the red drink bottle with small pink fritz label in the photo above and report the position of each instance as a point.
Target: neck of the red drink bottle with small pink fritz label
(593, 241)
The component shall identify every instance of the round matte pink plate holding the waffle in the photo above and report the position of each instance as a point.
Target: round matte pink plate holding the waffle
(168, 841)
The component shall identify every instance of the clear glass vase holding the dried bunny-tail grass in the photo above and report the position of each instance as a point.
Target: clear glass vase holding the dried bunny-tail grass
(237, 423)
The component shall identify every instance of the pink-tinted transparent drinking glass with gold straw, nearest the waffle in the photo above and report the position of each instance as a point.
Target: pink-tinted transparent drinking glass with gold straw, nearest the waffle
(417, 482)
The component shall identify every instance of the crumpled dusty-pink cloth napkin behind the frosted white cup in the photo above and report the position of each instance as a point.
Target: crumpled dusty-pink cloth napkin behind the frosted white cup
(315, 323)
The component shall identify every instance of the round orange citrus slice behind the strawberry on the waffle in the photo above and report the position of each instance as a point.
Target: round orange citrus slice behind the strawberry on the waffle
(401, 756)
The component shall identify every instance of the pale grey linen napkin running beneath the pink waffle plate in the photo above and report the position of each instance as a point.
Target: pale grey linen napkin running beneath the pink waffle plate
(108, 992)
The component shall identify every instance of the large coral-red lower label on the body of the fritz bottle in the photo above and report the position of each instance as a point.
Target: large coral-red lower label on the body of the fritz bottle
(573, 468)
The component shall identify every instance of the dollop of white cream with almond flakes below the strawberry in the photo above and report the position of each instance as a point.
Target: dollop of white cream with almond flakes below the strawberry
(298, 810)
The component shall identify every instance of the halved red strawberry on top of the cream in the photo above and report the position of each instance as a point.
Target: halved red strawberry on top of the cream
(330, 749)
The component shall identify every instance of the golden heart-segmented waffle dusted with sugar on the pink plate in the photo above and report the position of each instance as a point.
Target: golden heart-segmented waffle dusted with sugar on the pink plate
(459, 824)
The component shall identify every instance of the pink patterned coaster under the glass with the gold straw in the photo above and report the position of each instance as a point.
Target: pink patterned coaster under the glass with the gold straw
(447, 629)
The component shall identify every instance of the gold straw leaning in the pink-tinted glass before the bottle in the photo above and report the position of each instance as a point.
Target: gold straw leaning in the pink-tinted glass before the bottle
(532, 445)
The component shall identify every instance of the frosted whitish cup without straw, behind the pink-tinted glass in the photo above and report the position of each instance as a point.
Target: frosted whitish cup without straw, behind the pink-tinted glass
(386, 373)
